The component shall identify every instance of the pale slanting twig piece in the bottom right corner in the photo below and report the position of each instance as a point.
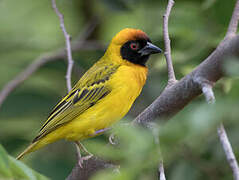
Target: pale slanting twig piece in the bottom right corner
(228, 151)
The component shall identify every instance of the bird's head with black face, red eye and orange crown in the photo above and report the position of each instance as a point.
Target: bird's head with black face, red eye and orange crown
(132, 45)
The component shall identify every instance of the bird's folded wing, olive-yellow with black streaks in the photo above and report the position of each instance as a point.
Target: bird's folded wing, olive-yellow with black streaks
(91, 88)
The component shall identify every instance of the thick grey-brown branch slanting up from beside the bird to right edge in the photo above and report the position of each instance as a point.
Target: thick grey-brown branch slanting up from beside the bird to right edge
(176, 97)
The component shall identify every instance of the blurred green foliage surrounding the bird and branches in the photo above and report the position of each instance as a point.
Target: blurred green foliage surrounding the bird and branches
(188, 142)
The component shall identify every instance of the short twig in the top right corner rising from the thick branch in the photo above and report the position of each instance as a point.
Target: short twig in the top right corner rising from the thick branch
(232, 28)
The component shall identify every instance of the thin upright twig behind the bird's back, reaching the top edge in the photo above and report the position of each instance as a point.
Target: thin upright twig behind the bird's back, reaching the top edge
(68, 45)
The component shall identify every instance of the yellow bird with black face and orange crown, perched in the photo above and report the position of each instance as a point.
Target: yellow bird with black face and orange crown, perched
(103, 95)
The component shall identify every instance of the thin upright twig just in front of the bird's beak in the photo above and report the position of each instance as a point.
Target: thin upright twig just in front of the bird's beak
(167, 53)
